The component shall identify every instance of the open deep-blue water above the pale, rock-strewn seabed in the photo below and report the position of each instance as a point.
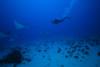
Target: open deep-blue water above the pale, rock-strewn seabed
(36, 16)
